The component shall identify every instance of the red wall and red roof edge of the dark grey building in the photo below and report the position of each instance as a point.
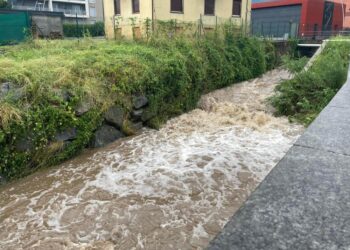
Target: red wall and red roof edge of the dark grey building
(316, 17)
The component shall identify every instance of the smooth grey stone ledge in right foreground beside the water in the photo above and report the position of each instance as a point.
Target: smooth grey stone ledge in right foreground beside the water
(304, 203)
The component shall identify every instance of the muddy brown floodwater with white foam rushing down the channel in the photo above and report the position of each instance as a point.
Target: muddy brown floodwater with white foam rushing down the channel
(169, 189)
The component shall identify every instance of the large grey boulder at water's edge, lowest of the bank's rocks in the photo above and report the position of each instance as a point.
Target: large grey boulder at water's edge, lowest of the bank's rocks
(105, 135)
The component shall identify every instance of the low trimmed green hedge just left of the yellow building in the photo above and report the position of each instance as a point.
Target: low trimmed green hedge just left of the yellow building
(81, 30)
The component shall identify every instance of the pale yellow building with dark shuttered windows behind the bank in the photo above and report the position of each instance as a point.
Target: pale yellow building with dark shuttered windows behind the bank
(128, 17)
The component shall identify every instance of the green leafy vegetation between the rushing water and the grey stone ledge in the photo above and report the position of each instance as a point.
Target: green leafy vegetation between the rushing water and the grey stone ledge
(305, 96)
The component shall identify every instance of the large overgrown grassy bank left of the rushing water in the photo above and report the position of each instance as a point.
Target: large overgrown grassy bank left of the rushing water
(52, 78)
